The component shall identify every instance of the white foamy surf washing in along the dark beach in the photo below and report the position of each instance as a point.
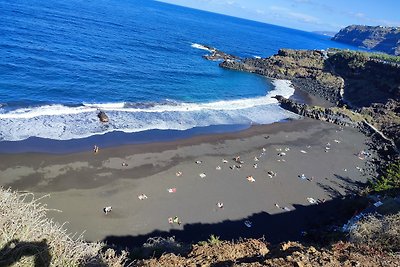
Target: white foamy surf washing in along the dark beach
(63, 123)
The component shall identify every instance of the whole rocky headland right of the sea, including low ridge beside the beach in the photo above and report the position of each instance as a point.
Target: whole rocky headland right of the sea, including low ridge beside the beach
(364, 89)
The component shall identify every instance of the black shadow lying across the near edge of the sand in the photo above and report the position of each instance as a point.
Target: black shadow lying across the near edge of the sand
(301, 223)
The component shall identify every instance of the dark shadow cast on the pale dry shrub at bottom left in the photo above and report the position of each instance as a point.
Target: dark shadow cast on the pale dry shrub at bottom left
(14, 250)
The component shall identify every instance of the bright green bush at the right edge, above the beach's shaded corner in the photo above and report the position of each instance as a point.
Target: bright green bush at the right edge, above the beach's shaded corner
(389, 181)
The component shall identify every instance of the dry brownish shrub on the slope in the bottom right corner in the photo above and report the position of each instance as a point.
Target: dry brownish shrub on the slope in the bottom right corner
(377, 232)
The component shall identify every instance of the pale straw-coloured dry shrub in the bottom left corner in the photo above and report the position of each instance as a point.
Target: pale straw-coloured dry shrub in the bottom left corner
(29, 238)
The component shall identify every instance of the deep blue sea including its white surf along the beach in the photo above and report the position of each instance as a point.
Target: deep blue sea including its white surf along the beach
(139, 61)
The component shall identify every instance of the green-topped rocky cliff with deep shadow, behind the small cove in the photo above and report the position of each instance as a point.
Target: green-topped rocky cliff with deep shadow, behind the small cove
(352, 77)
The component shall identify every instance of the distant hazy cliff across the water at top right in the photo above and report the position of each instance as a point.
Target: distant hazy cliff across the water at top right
(385, 39)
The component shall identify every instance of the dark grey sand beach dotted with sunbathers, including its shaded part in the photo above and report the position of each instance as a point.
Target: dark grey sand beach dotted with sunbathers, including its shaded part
(278, 206)
